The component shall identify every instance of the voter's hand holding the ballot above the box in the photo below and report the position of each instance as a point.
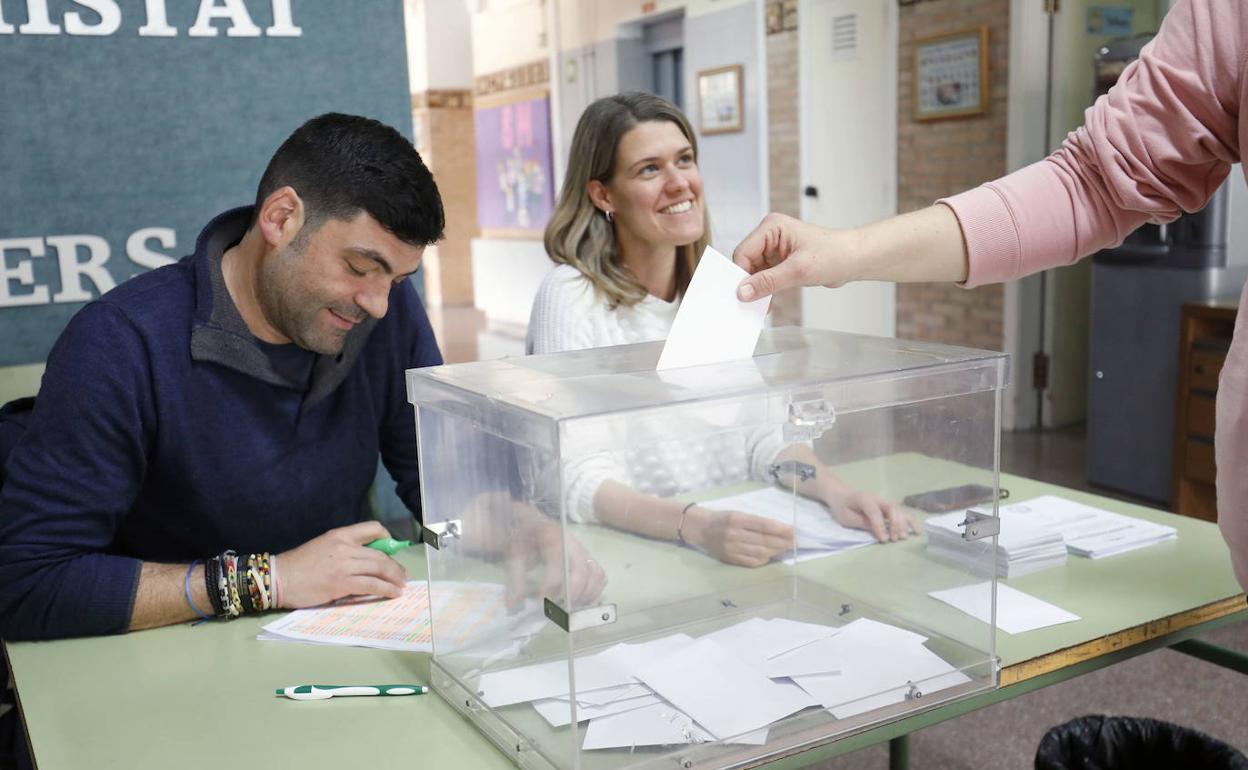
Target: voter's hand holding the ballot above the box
(784, 253)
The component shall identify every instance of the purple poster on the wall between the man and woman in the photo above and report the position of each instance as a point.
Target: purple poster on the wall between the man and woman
(515, 187)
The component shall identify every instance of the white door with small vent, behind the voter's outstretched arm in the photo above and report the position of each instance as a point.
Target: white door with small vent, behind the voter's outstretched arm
(849, 148)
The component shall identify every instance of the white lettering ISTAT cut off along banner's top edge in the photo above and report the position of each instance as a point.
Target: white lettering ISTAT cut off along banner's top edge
(100, 18)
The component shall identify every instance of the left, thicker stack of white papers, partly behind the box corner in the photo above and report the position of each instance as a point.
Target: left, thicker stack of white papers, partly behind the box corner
(1023, 547)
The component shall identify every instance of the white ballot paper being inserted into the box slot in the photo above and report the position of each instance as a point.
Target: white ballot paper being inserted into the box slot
(712, 325)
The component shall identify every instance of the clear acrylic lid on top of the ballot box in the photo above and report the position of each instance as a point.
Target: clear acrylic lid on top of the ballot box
(546, 390)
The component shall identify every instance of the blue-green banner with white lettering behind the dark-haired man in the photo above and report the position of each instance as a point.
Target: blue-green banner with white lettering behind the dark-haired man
(125, 125)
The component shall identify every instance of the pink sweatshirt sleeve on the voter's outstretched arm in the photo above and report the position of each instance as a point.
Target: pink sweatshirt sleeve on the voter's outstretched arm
(1159, 144)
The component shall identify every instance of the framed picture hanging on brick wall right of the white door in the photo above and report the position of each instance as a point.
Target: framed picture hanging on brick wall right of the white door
(952, 76)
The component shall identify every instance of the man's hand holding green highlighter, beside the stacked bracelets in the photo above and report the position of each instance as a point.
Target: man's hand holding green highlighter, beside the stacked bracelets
(338, 565)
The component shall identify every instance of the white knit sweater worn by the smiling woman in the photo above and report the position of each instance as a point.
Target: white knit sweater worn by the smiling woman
(568, 315)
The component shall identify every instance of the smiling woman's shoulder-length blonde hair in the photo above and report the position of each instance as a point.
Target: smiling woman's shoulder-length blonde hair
(580, 234)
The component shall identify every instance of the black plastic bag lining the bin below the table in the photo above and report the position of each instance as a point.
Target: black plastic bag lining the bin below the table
(1114, 743)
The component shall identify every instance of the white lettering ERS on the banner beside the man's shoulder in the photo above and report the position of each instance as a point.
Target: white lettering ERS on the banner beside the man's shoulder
(78, 258)
